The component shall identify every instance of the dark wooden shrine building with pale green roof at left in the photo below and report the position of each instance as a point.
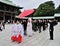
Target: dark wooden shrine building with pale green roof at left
(8, 10)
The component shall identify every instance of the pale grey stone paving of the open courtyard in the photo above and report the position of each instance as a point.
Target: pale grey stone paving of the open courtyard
(37, 39)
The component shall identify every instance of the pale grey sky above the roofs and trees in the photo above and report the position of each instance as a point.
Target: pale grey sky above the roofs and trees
(31, 4)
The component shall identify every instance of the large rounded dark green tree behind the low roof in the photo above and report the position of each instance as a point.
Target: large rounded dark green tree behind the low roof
(45, 9)
